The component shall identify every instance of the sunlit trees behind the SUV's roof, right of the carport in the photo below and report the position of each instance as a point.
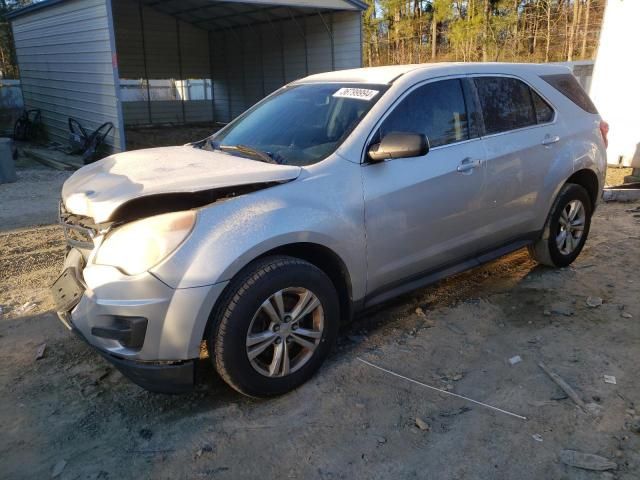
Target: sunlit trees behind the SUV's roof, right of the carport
(405, 31)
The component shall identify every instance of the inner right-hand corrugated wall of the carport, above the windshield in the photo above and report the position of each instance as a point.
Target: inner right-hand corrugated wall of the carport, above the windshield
(251, 62)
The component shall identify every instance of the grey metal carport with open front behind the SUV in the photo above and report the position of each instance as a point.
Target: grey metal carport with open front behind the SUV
(138, 62)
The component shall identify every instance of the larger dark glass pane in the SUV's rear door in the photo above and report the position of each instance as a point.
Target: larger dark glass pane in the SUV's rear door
(506, 104)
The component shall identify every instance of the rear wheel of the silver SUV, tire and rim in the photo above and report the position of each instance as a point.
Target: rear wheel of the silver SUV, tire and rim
(566, 230)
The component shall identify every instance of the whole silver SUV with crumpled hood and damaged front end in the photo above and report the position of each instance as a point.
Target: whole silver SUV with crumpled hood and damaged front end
(335, 193)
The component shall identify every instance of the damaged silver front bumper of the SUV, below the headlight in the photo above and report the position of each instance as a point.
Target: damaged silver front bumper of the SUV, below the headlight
(148, 330)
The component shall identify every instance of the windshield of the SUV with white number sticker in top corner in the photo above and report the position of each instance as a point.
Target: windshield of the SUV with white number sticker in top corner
(301, 125)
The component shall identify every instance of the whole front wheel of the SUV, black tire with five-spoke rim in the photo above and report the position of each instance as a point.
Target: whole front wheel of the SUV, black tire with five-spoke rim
(276, 326)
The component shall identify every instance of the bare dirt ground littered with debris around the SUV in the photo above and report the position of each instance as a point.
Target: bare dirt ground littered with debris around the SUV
(72, 412)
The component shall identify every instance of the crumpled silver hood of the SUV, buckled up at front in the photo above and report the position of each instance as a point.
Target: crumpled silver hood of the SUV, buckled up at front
(97, 190)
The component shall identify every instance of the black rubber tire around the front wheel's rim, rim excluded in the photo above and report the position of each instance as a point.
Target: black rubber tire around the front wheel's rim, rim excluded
(247, 292)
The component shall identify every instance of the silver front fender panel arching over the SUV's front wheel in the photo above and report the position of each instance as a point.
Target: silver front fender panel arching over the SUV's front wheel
(230, 234)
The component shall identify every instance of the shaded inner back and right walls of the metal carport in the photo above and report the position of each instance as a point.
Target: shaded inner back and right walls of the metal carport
(246, 63)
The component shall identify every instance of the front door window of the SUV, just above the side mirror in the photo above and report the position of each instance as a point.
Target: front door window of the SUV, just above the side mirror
(436, 109)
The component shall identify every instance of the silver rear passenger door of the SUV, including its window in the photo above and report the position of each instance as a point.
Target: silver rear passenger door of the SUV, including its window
(522, 139)
